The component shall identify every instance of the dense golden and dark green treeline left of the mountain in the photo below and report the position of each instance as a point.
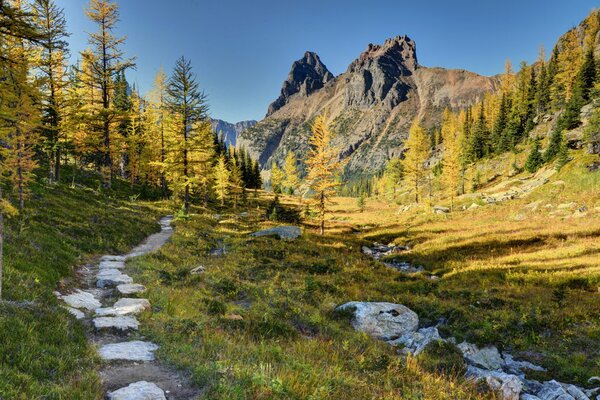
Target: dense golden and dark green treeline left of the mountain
(87, 115)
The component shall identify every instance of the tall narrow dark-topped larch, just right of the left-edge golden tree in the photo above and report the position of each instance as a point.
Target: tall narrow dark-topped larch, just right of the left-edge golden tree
(53, 67)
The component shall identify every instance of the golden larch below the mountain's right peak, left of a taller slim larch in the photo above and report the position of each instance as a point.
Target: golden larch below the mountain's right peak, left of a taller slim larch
(417, 150)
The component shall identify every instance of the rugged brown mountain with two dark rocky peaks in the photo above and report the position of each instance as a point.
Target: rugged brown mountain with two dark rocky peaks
(370, 106)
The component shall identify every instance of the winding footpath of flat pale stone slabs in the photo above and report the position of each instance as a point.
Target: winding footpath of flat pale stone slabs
(108, 302)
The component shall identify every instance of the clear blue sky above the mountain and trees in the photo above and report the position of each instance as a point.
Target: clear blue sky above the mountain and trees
(242, 50)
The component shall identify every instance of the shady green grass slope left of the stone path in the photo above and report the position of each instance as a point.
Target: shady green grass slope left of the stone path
(44, 353)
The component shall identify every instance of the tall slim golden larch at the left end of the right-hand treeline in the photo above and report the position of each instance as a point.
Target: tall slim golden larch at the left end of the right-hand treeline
(451, 158)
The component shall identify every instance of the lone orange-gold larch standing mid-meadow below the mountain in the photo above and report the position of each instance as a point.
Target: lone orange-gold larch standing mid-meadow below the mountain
(324, 168)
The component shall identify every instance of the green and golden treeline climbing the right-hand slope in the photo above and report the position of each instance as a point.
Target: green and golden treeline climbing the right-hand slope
(500, 122)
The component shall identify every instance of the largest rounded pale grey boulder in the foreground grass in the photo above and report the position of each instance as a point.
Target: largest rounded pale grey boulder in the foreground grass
(386, 321)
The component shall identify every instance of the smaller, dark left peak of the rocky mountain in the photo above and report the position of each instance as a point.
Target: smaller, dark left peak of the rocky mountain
(307, 75)
